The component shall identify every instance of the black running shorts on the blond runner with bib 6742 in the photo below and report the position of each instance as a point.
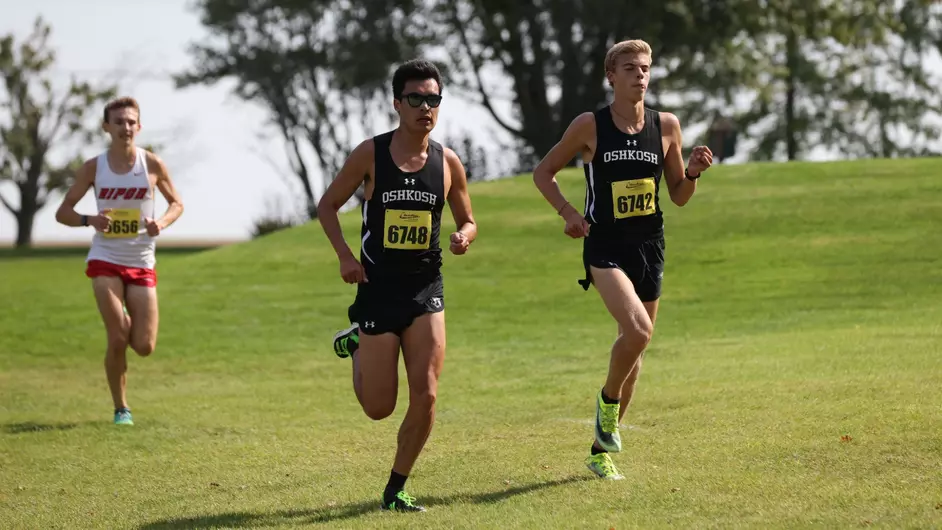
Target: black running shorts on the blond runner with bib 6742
(642, 262)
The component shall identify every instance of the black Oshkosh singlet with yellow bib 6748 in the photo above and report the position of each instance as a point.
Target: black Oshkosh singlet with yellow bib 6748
(402, 219)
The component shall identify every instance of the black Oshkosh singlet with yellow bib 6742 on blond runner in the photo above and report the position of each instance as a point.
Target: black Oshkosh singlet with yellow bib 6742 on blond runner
(623, 180)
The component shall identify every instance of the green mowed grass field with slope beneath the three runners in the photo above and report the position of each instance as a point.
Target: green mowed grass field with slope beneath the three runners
(793, 381)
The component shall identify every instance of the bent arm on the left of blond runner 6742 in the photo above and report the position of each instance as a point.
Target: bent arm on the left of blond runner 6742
(573, 142)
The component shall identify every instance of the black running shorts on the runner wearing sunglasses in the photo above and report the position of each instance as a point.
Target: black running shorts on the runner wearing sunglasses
(392, 306)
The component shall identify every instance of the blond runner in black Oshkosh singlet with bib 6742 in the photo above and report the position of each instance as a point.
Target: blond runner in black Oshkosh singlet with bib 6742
(625, 148)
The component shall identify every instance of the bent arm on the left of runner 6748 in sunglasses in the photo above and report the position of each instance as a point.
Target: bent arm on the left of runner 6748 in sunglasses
(354, 170)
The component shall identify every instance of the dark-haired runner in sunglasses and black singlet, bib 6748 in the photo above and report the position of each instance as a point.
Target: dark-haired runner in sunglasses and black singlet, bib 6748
(400, 294)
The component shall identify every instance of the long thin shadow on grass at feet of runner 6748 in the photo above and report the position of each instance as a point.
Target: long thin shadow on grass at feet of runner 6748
(329, 514)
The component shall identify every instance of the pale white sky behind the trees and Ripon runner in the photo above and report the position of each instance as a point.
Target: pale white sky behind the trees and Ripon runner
(211, 137)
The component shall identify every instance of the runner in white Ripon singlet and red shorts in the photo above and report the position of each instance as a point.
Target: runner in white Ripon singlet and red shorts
(121, 261)
